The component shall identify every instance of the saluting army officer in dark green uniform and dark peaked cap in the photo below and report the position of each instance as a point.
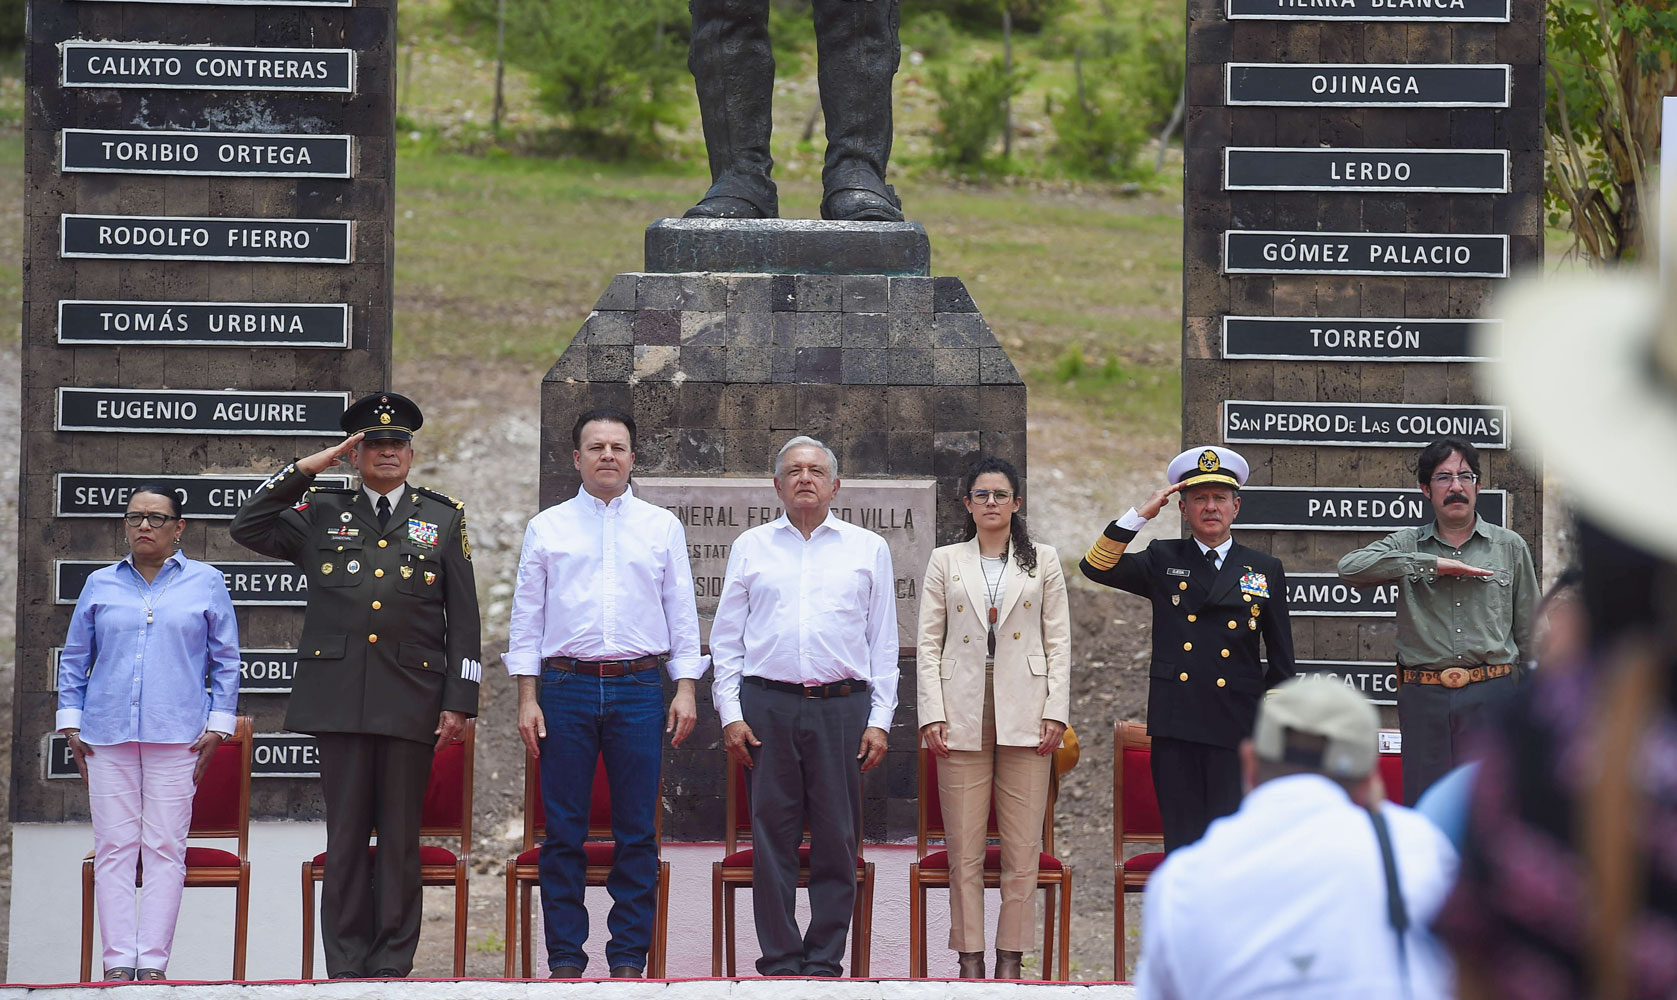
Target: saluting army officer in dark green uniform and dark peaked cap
(388, 665)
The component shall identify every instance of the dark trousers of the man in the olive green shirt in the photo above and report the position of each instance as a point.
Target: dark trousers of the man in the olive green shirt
(1440, 726)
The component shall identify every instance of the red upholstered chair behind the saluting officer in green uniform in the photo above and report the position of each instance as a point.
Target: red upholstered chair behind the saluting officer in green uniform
(447, 813)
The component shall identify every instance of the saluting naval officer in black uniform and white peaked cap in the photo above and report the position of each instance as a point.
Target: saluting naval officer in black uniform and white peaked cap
(1213, 602)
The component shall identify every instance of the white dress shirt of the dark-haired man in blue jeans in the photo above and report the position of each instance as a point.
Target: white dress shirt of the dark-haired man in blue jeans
(605, 581)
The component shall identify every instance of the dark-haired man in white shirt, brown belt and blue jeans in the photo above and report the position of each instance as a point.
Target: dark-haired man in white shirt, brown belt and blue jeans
(605, 600)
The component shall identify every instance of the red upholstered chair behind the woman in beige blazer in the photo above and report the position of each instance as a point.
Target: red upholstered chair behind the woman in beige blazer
(932, 872)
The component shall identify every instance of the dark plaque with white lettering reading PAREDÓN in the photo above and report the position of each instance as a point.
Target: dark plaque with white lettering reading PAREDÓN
(1349, 509)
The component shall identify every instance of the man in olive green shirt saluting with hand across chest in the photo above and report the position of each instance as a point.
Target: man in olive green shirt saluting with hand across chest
(1467, 595)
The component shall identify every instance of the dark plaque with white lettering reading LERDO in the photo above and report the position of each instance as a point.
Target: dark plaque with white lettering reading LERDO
(1270, 169)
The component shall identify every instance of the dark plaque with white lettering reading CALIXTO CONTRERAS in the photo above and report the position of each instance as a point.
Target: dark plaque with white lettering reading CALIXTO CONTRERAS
(207, 68)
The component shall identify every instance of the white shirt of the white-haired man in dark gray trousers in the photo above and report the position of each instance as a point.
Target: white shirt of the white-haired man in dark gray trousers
(807, 612)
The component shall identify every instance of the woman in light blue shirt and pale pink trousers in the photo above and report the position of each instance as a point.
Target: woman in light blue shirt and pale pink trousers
(150, 635)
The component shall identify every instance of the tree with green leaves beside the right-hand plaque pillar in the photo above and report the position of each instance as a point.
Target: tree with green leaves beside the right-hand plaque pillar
(1609, 63)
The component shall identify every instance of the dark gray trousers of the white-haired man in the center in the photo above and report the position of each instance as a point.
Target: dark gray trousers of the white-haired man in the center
(806, 773)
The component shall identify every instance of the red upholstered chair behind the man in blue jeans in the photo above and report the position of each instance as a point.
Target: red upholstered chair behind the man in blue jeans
(524, 873)
